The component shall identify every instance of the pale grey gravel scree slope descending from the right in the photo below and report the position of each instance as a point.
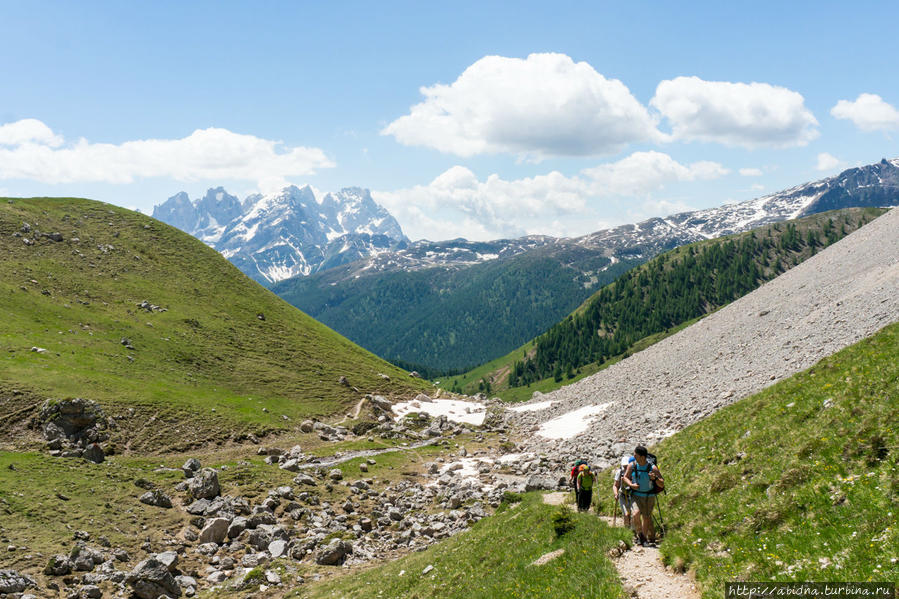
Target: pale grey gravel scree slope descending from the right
(836, 298)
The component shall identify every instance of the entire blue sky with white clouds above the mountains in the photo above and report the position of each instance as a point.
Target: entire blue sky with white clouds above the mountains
(535, 118)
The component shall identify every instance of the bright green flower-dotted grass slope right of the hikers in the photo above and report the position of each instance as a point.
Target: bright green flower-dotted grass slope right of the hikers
(799, 482)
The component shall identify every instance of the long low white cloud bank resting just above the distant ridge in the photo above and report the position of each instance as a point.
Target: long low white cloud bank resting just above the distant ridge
(458, 204)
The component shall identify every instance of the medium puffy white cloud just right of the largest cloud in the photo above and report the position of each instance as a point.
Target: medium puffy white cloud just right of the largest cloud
(750, 115)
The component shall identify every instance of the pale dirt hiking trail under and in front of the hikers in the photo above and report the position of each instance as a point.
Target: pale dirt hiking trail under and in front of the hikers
(640, 568)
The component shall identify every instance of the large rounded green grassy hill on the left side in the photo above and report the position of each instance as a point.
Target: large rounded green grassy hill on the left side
(225, 358)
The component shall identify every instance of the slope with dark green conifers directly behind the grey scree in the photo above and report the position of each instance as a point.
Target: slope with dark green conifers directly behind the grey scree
(658, 298)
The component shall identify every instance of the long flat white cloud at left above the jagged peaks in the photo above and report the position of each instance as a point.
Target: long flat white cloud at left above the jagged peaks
(36, 153)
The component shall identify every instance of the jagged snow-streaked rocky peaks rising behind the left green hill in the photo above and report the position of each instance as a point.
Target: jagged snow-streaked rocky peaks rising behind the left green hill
(290, 233)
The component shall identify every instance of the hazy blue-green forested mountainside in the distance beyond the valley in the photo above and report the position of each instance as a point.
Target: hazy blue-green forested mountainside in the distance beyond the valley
(451, 319)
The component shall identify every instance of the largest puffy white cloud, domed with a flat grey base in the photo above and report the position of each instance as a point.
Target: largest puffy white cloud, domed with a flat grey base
(544, 105)
